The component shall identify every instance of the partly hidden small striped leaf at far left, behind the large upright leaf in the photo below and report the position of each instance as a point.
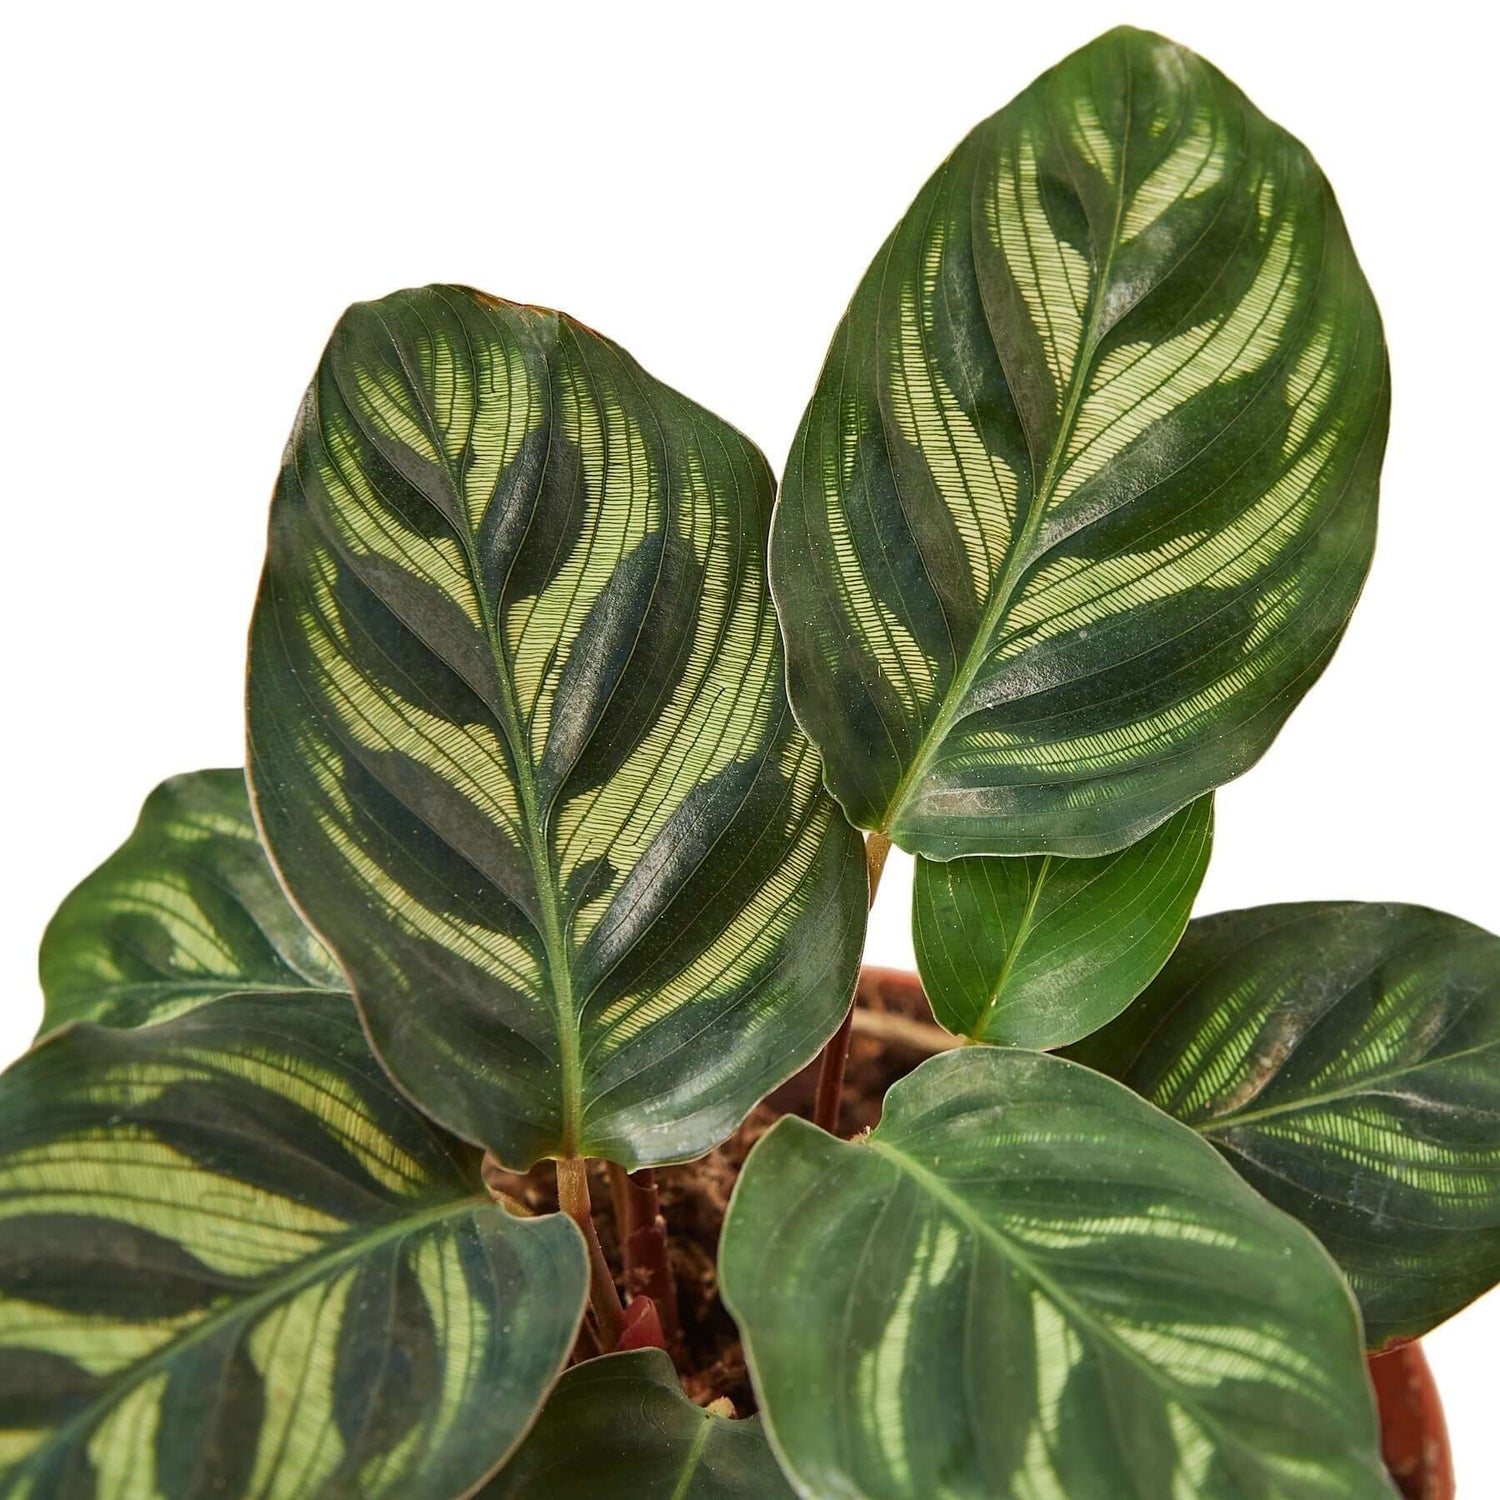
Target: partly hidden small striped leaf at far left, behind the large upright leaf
(187, 910)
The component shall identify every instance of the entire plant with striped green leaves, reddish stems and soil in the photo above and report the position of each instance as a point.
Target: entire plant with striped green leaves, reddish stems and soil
(389, 1099)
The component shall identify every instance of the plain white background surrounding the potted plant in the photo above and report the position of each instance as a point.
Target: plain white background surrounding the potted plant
(194, 194)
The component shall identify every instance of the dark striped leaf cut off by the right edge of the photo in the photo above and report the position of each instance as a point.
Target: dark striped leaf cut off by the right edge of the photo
(1346, 1060)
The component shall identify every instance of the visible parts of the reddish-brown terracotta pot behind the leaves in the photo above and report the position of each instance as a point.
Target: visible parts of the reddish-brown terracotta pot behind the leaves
(1414, 1432)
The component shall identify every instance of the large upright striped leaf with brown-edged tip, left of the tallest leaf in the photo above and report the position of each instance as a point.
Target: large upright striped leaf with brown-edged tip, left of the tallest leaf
(520, 739)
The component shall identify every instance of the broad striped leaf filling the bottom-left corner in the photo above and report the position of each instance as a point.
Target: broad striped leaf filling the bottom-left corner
(235, 1262)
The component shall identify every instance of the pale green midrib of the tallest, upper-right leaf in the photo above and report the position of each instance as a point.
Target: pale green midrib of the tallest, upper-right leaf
(1018, 559)
